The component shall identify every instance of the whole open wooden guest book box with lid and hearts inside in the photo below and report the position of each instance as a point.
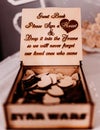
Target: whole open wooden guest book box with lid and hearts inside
(50, 90)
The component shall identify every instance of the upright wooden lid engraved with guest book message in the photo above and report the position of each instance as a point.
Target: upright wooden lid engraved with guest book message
(51, 36)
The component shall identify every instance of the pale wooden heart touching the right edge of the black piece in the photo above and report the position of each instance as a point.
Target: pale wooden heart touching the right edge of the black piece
(45, 81)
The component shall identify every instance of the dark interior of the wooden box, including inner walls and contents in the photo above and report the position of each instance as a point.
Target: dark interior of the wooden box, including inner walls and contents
(24, 92)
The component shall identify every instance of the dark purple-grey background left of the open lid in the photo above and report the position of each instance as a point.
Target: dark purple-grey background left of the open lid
(9, 36)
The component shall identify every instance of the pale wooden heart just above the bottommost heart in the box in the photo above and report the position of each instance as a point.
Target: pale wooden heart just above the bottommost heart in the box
(55, 91)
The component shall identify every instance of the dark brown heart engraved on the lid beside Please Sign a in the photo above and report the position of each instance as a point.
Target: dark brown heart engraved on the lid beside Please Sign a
(67, 25)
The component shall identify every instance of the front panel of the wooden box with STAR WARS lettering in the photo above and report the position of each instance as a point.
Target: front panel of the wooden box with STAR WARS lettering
(43, 116)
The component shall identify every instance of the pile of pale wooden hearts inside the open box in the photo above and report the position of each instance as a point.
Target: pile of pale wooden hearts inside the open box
(50, 84)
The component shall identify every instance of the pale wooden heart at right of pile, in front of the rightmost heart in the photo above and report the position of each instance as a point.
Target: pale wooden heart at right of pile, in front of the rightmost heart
(66, 82)
